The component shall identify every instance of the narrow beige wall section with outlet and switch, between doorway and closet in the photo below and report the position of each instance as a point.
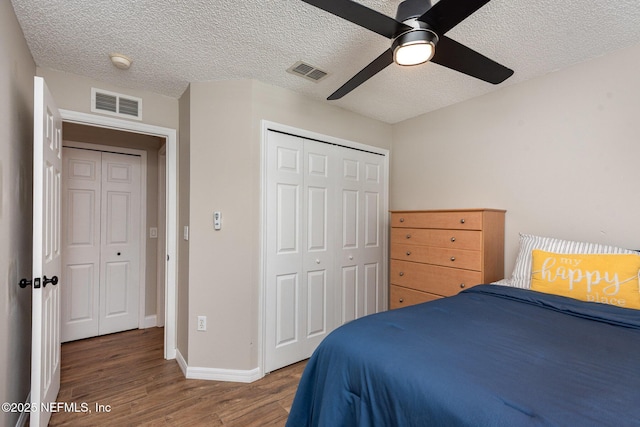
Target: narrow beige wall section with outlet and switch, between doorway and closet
(220, 262)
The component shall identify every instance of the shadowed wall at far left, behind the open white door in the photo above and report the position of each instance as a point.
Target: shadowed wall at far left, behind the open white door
(17, 70)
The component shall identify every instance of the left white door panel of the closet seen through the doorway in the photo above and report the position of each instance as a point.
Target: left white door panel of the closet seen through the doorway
(81, 243)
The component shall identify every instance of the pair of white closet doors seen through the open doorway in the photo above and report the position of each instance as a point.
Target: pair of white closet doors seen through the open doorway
(101, 207)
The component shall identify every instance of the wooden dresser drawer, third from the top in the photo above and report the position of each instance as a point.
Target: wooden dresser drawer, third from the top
(456, 258)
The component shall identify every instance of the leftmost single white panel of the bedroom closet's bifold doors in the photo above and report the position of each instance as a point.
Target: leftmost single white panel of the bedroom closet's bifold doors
(284, 257)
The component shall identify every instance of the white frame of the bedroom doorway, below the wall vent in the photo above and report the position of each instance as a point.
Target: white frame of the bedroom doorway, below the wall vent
(171, 225)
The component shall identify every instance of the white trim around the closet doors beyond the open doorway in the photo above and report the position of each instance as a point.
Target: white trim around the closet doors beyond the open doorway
(142, 273)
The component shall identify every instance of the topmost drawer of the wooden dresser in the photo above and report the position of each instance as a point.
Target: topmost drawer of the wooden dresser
(460, 220)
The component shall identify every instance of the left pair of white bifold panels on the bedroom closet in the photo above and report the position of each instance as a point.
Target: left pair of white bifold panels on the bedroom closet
(300, 238)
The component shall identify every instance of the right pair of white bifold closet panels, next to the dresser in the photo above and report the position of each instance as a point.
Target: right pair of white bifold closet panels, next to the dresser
(360, 232)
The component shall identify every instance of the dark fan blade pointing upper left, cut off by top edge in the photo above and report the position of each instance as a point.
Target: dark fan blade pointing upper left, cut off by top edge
(363, 16)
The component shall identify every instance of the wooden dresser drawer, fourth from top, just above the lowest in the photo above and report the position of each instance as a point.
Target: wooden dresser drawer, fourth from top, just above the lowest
(432, 278)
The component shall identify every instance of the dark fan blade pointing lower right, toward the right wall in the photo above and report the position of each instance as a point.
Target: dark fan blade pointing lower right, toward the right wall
(451, 54)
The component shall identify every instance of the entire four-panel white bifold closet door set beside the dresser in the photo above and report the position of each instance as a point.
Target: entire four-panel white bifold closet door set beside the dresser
(324, 240)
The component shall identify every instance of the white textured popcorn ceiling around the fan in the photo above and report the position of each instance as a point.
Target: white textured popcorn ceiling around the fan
(175, 42)
